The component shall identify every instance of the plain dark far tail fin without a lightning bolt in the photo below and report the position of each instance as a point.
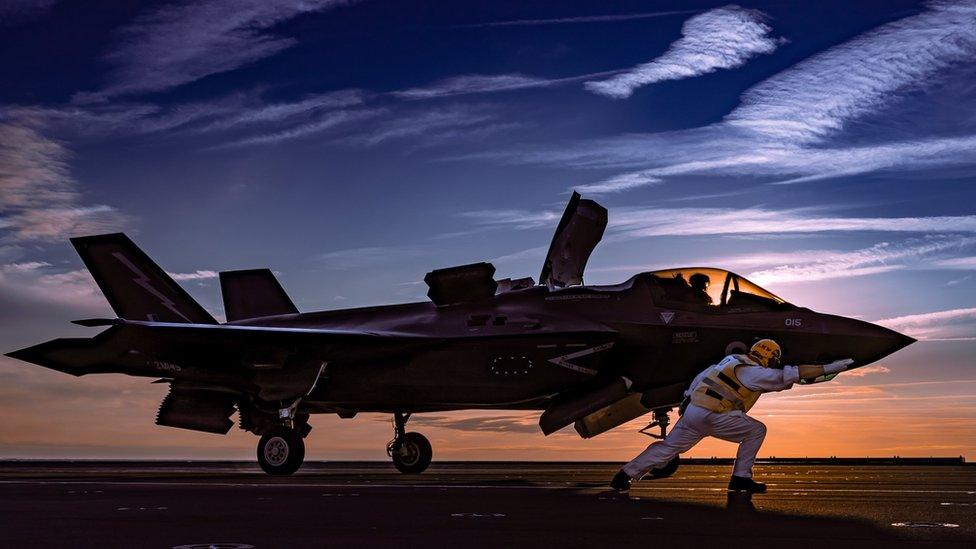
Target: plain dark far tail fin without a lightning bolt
(253, 293)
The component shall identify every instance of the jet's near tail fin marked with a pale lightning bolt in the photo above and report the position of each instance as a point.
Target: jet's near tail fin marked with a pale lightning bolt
(136, 288)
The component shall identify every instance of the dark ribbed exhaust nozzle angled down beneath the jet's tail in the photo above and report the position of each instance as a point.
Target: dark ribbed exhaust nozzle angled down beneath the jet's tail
(207, 411)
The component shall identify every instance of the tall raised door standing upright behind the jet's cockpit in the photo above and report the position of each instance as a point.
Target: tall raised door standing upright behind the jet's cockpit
(578, 233)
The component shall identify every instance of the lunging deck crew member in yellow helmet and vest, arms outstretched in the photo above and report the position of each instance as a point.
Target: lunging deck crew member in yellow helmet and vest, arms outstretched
(720, 398)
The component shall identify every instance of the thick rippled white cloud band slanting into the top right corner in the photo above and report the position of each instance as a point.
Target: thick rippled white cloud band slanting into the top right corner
(816, 97)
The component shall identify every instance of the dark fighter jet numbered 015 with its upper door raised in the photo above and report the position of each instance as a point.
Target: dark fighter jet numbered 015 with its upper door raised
(593, 356)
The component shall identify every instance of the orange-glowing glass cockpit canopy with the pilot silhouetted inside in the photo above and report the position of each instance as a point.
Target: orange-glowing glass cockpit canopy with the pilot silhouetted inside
(711, 289)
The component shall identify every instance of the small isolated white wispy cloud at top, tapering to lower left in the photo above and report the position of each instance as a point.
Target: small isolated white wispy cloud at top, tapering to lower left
(722, 38)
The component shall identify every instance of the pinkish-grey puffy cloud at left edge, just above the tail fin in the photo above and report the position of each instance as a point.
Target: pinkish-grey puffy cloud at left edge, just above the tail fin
(39, 199)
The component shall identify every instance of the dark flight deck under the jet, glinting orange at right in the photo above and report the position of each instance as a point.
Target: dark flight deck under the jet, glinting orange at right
(494, 504)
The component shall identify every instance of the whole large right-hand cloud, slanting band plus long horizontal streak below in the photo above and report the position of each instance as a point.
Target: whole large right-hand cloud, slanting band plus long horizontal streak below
(789, 128)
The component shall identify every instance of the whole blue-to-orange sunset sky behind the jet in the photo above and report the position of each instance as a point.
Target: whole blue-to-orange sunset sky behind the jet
(825, 150)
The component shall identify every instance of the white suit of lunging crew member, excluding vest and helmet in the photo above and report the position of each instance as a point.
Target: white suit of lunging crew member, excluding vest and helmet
(734, 426)
